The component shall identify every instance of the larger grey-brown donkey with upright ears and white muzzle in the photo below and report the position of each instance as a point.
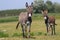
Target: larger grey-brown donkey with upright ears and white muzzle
(25, 19)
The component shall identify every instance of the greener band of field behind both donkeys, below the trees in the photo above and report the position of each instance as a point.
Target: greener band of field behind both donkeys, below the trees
(36, 16)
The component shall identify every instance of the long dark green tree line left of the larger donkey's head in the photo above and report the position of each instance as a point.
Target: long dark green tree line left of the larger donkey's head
(13, 12)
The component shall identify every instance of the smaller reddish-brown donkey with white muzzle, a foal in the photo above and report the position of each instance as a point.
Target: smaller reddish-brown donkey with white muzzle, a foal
(49, 21)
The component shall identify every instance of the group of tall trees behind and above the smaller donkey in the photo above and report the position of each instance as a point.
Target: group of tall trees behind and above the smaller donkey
(40, 5)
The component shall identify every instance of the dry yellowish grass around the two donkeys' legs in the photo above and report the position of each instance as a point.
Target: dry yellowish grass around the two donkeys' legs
(38, 31)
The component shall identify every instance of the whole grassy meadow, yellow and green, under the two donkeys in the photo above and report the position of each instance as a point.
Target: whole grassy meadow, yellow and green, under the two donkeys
(38, 30)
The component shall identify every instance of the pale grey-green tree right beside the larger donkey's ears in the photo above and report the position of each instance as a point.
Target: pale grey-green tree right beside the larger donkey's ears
(38, 5)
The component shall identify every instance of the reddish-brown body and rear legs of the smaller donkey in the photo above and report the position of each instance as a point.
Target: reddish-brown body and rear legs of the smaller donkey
(52, 24)
